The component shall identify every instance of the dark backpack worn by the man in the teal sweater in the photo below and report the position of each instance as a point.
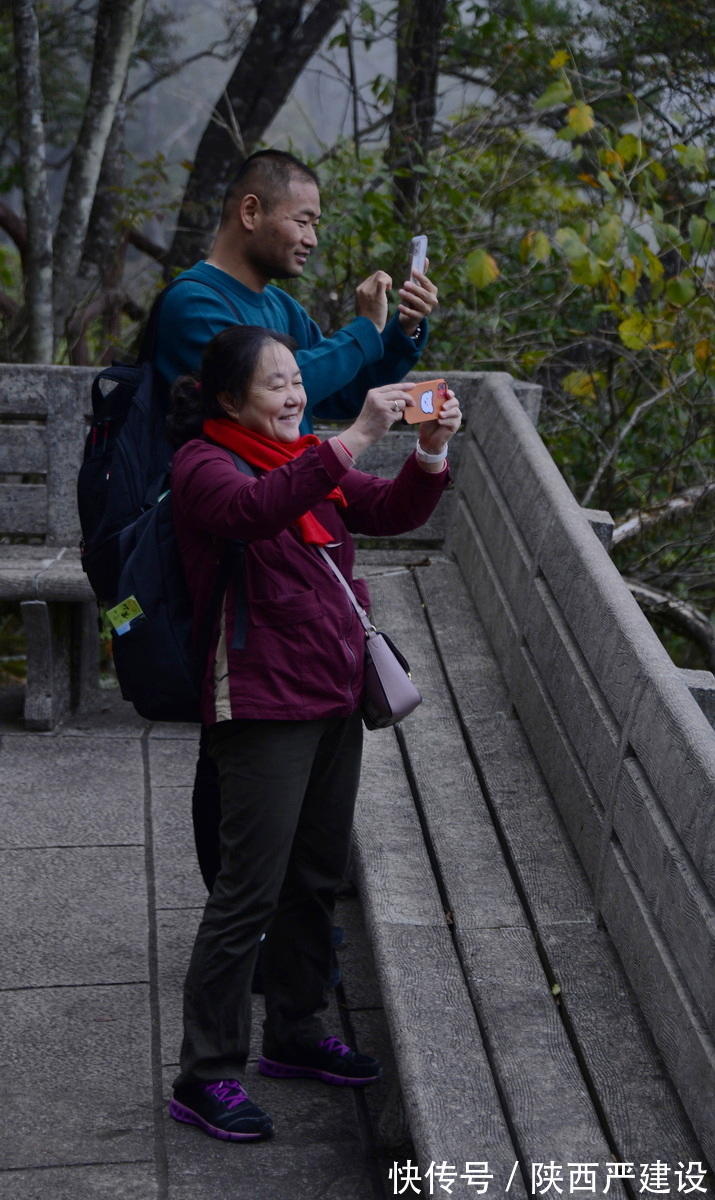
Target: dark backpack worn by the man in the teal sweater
(127, 457)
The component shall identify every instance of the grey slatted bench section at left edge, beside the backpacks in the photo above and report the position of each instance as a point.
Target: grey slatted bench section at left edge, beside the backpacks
(44, 424)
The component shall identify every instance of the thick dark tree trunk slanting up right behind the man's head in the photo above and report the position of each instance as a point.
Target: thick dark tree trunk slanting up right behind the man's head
(278, 50)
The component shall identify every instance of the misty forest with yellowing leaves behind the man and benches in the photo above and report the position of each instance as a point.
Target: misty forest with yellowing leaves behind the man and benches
(560, 155)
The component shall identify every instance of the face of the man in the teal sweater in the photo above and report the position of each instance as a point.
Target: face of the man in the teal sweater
(285, 236)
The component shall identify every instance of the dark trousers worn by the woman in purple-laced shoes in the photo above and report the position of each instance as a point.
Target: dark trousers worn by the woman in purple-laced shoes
(287, 799)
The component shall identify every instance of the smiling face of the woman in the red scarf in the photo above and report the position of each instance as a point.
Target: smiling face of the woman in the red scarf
(277, 398)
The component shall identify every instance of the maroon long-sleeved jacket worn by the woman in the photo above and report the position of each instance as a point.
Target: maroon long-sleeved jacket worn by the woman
(302, 655)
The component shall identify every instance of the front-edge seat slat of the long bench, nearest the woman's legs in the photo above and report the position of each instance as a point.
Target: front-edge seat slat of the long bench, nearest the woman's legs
(453, 1107)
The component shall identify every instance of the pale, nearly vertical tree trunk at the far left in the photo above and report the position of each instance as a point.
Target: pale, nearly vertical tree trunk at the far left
(39, 283)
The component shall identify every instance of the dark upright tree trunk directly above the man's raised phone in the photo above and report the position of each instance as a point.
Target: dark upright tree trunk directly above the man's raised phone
(419, 31)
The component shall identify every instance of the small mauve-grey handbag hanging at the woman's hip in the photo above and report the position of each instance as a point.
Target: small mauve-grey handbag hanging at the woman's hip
(389, 693)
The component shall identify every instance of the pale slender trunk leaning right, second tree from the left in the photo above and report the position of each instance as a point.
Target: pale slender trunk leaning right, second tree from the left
(118, 25)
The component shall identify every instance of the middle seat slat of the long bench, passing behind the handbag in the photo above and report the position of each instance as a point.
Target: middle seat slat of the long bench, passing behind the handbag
(531, 1053)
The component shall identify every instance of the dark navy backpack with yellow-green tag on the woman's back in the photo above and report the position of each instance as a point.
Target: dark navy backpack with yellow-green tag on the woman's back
(159, 669)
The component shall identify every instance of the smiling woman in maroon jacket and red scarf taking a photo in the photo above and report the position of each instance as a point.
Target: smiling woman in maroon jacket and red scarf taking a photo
(281, 699)
